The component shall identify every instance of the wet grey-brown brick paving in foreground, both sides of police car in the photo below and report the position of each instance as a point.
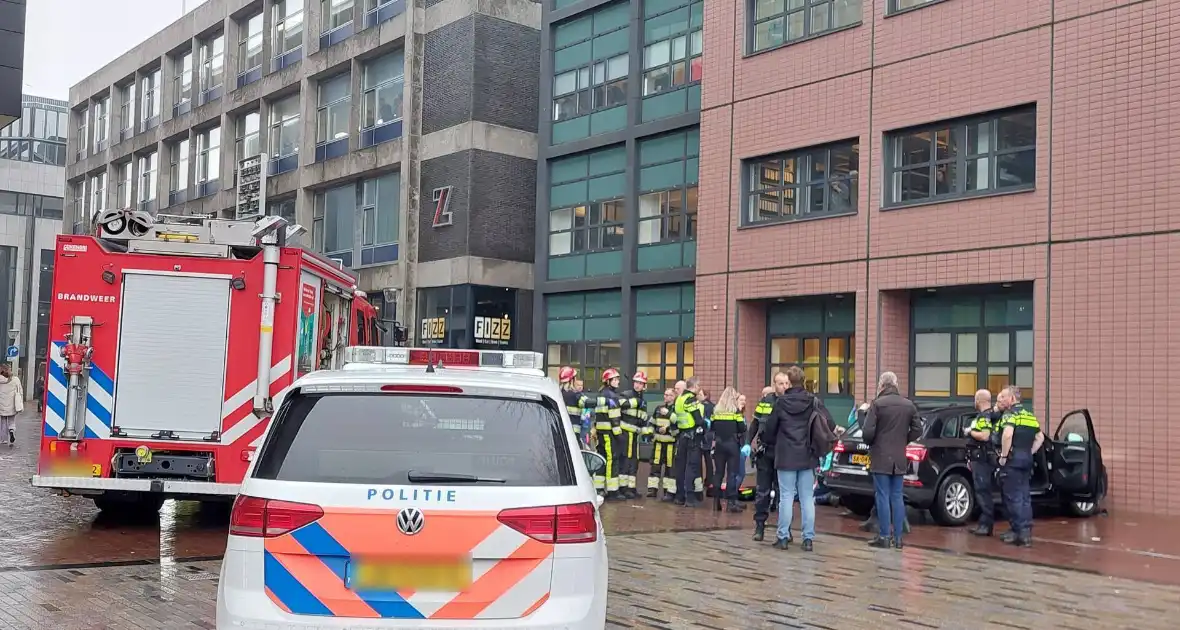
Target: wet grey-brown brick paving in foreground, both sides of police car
(671, 581)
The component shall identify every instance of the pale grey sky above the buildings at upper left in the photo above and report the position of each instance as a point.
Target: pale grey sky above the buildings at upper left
(67, 41)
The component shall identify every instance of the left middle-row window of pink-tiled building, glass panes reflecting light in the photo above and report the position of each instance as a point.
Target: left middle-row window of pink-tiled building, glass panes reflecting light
(808, 183)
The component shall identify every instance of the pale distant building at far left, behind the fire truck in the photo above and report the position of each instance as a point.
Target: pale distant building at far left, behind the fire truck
(32, 180)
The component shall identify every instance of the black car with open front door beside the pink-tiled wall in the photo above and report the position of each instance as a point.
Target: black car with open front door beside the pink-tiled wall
(1068, 470)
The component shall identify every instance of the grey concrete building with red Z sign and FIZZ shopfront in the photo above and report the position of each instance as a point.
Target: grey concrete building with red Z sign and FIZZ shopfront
(401, 133)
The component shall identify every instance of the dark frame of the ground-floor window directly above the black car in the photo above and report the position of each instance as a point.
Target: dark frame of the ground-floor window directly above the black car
(982, 363)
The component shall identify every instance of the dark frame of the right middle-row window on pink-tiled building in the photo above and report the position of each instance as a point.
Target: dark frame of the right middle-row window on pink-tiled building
(956, 133)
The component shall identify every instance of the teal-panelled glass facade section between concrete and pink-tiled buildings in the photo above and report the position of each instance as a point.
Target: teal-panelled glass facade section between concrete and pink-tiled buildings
(619, 148)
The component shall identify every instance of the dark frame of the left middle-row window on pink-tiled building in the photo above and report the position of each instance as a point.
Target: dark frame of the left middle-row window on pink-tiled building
(802, 189)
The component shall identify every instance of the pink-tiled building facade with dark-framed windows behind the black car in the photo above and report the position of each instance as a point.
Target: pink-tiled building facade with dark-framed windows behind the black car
(967, 195)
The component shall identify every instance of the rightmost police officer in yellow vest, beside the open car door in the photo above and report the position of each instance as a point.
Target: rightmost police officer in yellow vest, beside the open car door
(1021, 439)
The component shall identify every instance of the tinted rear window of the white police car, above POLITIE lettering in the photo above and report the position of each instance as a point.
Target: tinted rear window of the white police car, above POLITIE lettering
(363, 438)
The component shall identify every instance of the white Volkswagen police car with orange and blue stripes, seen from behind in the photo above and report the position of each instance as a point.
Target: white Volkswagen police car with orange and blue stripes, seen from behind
(395, 494)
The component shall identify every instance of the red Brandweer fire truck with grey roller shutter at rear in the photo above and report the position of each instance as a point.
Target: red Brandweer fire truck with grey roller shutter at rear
(171, 337)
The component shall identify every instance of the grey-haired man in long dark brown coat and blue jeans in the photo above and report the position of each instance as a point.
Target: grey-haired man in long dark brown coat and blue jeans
(890, 426)
